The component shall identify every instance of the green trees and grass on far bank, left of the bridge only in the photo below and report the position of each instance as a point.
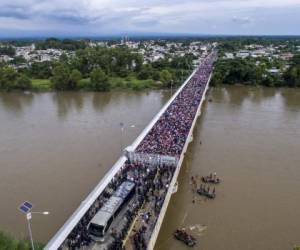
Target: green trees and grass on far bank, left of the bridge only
(98, 69)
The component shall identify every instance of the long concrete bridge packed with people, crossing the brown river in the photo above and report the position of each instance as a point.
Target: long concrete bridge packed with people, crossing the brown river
(152, 163)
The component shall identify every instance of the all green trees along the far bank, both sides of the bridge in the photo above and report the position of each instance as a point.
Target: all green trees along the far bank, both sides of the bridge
(100, 69)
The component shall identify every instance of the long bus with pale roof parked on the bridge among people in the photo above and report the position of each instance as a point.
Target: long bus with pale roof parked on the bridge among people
(102, 220)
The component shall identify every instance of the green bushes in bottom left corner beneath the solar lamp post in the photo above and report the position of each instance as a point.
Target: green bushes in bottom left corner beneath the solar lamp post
(7, 242)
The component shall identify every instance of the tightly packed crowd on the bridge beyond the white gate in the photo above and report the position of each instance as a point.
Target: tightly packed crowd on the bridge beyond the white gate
(168, 135)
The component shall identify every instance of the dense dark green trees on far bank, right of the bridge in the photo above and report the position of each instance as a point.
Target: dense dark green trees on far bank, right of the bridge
(246, 71)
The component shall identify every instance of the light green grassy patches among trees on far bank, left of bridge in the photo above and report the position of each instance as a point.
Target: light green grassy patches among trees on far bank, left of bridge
(130, 82)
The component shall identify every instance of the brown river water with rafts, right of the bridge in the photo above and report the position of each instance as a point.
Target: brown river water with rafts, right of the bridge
(251, 138)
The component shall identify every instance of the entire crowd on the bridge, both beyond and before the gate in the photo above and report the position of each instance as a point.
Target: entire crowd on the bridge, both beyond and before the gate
(167, 137)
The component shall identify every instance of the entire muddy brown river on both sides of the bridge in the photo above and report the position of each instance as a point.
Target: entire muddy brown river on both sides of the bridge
(55, 147)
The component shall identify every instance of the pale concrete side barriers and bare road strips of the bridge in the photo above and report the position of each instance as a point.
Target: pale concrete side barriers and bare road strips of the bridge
(155, 222)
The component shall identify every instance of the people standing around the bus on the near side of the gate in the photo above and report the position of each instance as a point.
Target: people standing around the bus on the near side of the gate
(147, 180)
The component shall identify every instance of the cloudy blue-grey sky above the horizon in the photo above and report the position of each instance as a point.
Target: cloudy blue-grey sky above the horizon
(109, 17)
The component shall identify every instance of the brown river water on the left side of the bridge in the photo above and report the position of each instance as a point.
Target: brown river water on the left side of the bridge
(55, 148)
